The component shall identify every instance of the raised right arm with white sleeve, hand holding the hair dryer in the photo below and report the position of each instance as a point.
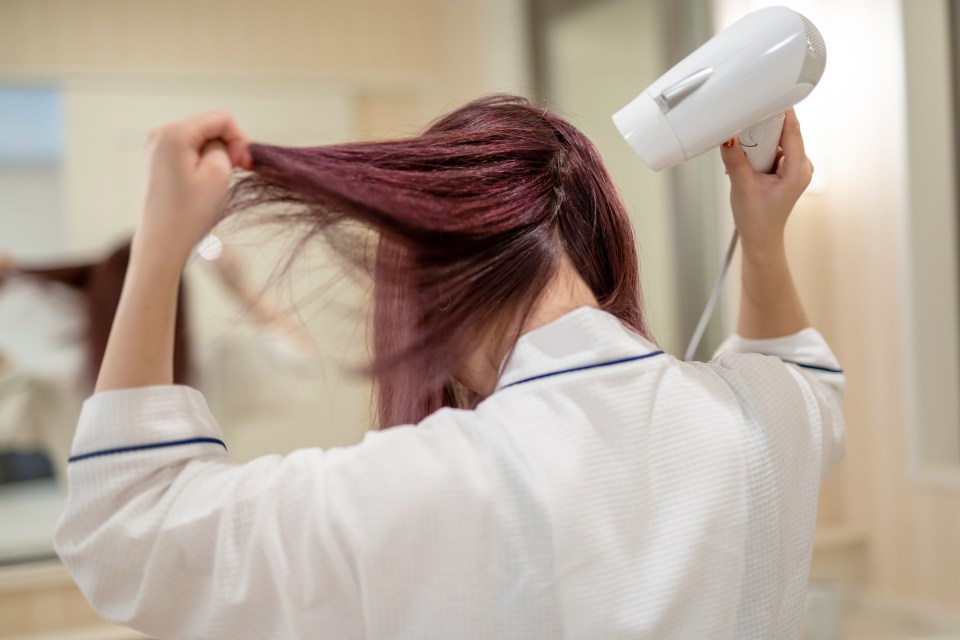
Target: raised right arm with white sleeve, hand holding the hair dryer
(808, 393)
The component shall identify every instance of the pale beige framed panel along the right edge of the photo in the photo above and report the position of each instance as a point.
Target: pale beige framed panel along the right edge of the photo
(929, 240)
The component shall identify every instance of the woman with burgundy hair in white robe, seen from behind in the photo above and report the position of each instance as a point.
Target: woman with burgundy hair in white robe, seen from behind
(565, 477)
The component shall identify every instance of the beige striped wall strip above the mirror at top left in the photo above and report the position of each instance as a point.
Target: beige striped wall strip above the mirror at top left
(365, 38)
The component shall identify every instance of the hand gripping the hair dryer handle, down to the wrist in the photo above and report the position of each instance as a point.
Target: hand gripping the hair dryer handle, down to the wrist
(762, 202)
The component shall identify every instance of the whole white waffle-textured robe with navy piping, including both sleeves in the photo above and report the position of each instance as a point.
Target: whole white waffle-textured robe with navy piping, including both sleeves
(650, 498)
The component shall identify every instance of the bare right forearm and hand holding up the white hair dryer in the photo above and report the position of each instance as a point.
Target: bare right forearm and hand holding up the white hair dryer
(769, 304)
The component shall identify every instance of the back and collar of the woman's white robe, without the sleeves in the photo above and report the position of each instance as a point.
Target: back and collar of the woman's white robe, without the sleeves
(643, 498)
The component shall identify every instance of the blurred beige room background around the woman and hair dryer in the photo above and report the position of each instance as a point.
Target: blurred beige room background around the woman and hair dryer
(873, 243)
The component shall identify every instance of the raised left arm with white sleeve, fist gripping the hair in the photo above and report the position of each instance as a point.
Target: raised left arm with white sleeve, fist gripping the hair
(160, 530)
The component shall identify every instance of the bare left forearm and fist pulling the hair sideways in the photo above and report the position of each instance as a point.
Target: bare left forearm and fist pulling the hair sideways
(189, 166)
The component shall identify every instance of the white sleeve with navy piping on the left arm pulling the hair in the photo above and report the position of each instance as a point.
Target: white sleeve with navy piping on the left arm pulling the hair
(163, 533)
